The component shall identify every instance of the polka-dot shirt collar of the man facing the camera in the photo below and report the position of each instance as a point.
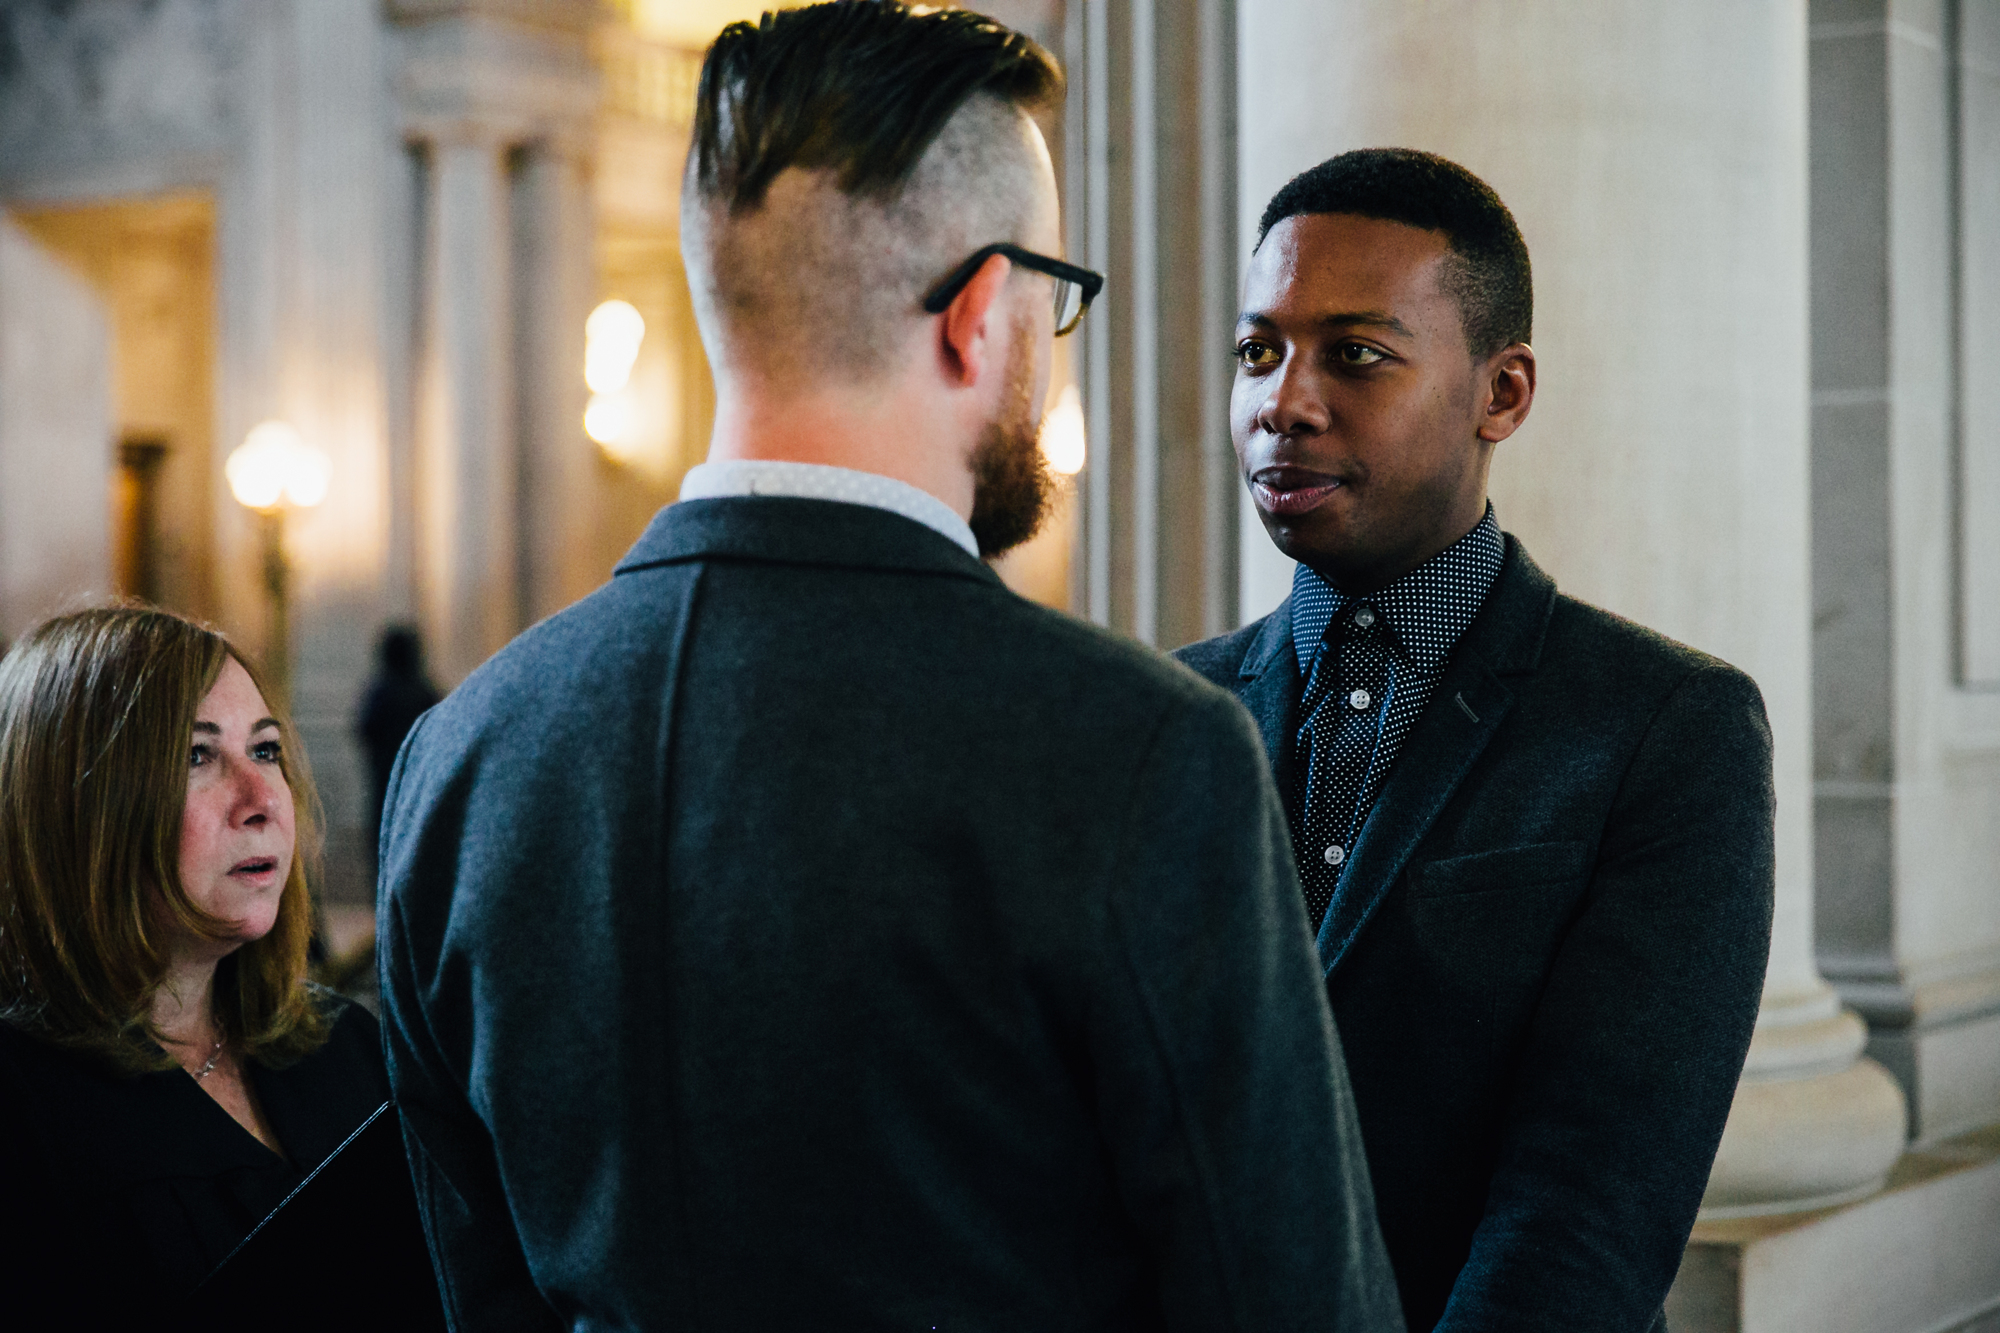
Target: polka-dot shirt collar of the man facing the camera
(1425, 611)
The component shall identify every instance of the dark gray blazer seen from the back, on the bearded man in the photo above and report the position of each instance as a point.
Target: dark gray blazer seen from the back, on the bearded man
(803, 932)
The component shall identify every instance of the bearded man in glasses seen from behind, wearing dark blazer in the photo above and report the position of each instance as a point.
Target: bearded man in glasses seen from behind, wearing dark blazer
(803, 932)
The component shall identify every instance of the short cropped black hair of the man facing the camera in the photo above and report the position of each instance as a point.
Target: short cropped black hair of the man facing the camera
(1493, 283)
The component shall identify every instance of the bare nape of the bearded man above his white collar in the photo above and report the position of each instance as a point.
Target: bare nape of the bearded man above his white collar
(865, 429)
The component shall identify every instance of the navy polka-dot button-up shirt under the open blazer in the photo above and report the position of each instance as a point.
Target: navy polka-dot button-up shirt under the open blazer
(1371, 665)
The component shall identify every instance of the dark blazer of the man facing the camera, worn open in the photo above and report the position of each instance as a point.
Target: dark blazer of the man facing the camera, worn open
(1547, 956)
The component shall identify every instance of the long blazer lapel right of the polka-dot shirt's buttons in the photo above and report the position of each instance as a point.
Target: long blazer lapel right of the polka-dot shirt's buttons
(1447, 742)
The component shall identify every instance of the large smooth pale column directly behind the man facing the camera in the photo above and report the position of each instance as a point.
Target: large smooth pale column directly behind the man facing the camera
(1657, 163)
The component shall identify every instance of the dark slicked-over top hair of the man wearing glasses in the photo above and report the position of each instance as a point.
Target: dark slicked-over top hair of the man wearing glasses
(859, 87)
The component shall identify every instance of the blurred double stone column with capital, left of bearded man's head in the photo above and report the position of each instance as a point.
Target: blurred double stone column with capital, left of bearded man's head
(499, 97)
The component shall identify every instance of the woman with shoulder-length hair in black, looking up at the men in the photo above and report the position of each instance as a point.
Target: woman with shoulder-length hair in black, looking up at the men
(167, 1072)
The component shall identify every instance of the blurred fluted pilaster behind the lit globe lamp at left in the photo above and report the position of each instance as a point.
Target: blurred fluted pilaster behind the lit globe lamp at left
(303, 287)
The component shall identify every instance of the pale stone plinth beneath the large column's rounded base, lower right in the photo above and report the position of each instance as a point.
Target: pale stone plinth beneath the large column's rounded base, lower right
(1915, 1258)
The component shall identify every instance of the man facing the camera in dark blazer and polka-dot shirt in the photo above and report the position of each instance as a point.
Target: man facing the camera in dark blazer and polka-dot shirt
(1535, 840)
